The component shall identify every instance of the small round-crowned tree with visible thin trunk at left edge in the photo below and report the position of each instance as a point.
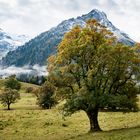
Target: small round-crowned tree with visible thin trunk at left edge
(9, 96)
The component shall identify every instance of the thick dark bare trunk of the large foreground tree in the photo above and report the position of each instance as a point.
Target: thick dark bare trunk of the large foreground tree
(93, 118)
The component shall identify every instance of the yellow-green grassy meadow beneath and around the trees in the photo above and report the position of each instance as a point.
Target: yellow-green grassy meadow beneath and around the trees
(26, 121)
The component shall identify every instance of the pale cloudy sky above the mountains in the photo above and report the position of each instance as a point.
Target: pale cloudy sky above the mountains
(31, 17)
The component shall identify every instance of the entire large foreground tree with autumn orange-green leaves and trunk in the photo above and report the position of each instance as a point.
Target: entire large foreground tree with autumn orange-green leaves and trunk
(92, 71)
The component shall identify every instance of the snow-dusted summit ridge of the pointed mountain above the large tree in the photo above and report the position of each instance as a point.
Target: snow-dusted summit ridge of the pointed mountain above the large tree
(101, 17)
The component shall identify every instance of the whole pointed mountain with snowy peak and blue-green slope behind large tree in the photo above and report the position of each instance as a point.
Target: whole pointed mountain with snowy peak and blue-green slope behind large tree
(37, 50)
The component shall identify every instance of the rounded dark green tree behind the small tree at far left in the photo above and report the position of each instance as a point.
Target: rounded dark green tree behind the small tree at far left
(12, 83)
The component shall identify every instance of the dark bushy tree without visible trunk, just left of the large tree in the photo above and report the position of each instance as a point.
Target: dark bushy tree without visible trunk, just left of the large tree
(45, 96)
